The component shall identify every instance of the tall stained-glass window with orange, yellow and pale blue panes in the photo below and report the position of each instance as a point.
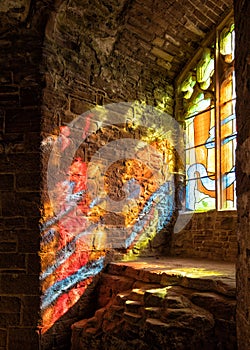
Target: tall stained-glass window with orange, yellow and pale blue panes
(211, 129)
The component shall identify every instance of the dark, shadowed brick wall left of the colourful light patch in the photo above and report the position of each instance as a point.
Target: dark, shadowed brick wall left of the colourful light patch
(20, 116)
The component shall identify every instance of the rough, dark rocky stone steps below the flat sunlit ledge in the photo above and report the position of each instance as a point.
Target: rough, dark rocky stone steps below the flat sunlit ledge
(148, 309)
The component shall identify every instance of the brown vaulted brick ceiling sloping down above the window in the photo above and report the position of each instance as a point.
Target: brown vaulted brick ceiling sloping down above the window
(155, 33)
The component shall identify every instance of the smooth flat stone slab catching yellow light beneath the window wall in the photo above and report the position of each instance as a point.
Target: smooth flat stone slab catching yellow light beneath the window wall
(200, 275)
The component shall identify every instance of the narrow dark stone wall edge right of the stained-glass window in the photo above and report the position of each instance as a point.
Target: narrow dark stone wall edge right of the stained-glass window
(242, 22)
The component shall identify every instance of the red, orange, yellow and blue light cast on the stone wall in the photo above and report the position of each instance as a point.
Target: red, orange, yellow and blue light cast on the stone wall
(111, 187)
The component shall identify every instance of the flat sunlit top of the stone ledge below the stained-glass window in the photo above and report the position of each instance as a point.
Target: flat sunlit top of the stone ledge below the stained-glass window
(163, 269)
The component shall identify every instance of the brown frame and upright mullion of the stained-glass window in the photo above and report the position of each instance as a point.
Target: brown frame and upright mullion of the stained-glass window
(212, 39)
